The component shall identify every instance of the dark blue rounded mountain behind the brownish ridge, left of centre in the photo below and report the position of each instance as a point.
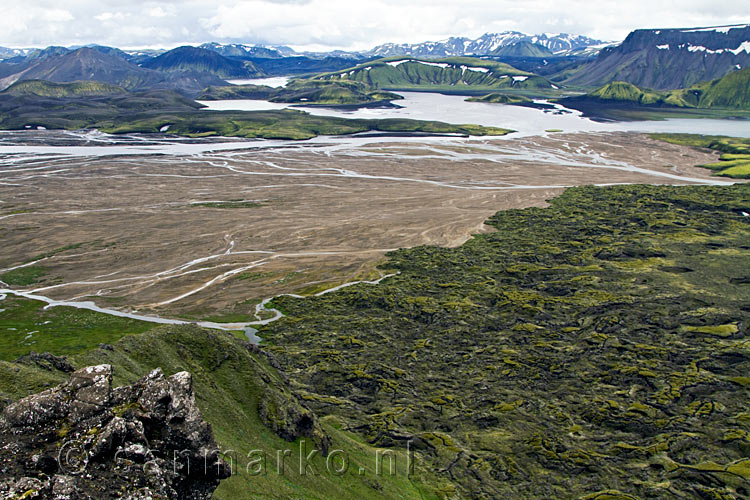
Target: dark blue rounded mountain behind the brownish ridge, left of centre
(196, 59)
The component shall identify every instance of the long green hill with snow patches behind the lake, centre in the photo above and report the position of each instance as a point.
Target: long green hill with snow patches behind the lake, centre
(455, 74)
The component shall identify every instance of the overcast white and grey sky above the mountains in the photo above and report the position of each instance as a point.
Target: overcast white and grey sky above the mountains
(338, 24)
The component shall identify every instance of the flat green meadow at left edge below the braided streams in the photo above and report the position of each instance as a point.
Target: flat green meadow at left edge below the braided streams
(25, 326)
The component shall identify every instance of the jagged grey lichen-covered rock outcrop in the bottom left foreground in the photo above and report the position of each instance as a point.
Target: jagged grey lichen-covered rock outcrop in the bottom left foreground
(85, 439)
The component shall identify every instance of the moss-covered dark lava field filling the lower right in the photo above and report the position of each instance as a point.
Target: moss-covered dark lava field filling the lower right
(593, 349)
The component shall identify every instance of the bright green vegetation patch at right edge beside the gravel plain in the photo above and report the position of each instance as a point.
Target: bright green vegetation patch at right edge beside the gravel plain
(734, 161)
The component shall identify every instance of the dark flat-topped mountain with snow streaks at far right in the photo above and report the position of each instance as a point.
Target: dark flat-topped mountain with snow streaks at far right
(668, 58)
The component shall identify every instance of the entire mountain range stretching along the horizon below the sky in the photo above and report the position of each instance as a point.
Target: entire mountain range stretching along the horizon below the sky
(658, 59)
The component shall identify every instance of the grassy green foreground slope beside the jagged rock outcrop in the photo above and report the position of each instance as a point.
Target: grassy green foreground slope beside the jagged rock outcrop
(229, 381)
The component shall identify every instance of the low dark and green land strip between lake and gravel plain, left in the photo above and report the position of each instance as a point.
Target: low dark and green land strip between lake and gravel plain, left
(160, 111)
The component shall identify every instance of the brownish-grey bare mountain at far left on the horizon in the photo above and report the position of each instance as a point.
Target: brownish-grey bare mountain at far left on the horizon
(87, 64)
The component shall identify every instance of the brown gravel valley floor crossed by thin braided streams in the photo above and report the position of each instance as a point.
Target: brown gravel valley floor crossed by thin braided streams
(207, 234)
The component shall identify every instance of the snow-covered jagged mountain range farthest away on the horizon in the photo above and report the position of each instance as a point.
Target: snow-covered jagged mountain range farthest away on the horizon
(488, 43)
